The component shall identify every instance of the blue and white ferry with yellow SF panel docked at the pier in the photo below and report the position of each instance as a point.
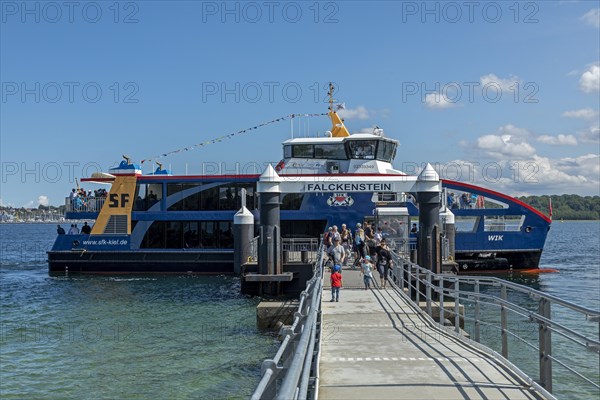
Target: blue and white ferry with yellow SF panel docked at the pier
(164, 223)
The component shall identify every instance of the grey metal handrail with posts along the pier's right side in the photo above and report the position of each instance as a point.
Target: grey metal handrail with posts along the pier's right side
(423, 284)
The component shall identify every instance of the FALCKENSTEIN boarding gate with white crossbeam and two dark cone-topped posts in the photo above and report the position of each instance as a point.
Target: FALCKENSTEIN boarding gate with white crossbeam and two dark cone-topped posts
(426, 188)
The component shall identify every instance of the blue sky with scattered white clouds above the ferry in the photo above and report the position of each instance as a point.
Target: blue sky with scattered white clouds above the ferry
(85, 82)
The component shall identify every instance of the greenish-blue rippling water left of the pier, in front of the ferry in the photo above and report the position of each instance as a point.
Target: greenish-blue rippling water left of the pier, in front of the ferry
(114, 337)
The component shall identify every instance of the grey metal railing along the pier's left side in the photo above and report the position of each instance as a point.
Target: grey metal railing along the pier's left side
(293, 372)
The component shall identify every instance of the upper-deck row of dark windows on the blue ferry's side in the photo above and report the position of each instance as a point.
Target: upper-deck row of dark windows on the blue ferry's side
(227, 196)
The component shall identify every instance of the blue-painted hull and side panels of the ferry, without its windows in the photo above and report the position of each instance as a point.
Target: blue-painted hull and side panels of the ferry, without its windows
(480, 248)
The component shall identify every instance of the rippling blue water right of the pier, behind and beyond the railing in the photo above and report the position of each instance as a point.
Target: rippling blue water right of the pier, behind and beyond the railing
(573, 250)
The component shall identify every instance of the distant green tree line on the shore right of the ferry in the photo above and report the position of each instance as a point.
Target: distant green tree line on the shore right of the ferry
(566, 206)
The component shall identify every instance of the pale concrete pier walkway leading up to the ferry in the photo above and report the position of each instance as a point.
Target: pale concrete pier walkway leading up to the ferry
(376, 345)
